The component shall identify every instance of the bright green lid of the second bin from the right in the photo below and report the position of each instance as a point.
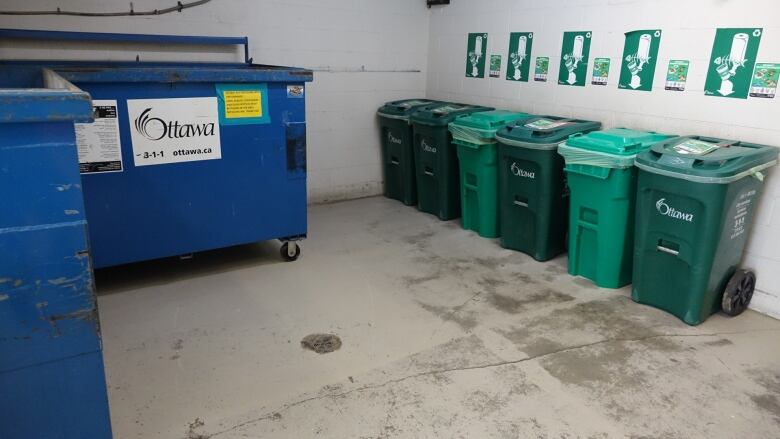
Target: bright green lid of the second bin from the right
(617, 141)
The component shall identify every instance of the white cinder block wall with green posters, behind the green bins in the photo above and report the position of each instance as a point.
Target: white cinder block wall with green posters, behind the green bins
(688, 31)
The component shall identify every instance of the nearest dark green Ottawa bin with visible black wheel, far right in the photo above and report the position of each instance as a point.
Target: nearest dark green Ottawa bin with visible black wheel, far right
(696, 198)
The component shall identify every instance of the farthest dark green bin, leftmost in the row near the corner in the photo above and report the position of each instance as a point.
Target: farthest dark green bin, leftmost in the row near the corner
(397, 150)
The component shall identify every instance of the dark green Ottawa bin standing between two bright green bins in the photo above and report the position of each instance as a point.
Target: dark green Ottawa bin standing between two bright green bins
(532, 185)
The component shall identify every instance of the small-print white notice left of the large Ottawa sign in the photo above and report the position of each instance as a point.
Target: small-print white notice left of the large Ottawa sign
(98, 142)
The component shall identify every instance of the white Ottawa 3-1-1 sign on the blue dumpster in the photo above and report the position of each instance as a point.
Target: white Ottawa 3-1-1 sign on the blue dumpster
(174, 130)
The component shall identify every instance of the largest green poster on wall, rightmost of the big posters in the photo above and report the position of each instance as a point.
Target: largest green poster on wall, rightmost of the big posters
(731, 63)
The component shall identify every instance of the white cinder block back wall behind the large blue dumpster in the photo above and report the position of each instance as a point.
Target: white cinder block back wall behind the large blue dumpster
(364, 53)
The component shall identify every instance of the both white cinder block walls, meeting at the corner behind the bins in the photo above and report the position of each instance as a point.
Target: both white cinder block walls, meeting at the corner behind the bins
(366, 52)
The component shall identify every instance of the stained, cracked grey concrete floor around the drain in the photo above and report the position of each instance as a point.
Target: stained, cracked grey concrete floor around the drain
(444, 334)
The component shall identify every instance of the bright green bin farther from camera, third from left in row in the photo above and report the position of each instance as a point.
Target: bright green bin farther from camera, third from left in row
(475, 137)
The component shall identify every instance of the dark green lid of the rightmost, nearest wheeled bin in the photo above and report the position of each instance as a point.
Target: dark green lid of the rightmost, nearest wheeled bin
(707, 159)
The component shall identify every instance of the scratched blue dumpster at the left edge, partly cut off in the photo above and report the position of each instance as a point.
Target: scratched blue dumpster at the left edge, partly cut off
(52, 383)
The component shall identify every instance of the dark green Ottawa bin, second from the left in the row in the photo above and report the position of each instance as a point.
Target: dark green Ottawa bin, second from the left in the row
(436, 159)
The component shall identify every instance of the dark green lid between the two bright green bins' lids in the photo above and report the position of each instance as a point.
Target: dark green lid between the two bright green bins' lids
(548, 130)
